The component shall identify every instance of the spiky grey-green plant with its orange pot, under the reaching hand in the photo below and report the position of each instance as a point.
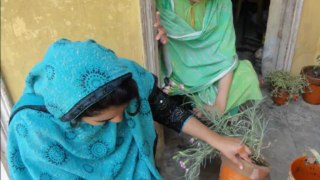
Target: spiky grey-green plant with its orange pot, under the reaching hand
(249, 125)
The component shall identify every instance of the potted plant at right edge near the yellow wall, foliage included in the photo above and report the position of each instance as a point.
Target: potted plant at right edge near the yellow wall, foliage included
(312, 74)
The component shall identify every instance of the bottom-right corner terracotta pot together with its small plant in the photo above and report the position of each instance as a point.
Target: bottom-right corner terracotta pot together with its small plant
(306, 167)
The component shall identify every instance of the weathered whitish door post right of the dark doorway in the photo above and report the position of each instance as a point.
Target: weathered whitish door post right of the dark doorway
(281, 36)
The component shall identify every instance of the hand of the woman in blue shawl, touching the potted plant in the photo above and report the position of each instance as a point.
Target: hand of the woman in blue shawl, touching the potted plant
(233, 149)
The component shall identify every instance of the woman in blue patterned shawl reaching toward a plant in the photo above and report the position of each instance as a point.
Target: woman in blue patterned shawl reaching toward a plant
(87, 114)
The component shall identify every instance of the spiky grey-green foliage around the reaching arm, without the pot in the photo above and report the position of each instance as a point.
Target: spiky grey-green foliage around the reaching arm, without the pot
(249, 125)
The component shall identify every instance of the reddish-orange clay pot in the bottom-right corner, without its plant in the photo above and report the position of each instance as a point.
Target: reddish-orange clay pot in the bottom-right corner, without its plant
(301, 170)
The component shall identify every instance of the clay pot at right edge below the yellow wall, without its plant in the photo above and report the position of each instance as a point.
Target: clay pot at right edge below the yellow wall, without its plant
(312, 93)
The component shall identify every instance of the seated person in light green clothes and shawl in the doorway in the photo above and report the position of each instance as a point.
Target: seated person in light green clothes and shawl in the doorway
(202, 55)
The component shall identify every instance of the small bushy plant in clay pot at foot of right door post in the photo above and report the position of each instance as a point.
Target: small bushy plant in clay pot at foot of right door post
(285, 87)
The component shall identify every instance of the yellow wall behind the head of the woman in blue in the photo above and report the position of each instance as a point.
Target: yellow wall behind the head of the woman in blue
(28, 27)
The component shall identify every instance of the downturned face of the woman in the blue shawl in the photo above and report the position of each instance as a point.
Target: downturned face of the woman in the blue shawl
(113, 114)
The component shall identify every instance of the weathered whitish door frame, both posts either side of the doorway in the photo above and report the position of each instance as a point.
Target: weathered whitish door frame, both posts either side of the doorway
(279, 47)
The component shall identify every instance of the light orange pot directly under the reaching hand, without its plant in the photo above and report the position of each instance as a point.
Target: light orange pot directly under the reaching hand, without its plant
(231, 171)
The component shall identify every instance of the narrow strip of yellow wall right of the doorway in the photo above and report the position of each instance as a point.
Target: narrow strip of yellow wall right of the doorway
(308, 42)
